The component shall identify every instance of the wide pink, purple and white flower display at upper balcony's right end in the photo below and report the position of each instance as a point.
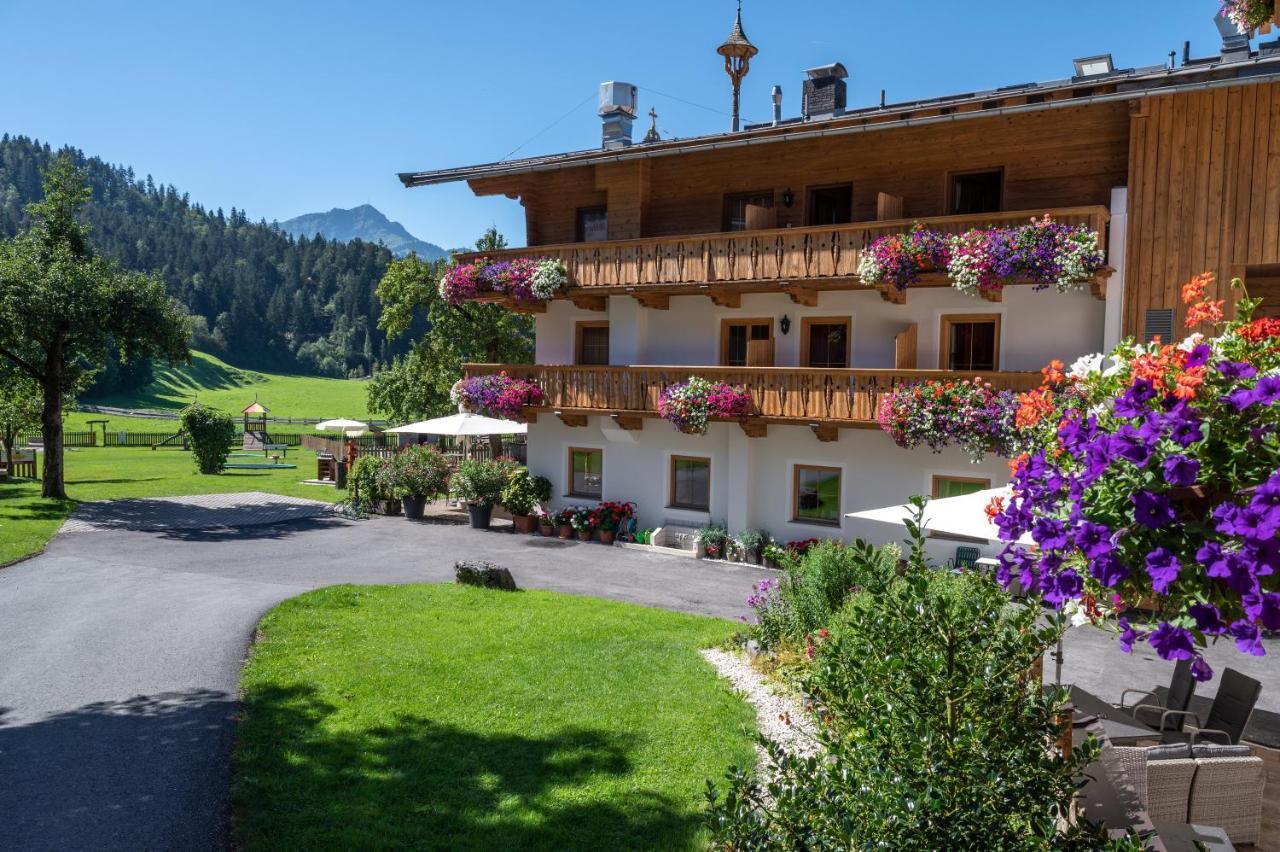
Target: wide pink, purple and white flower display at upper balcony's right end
(982, 260)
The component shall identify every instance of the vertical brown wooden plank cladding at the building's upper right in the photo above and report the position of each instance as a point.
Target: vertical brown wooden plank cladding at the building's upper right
(1204, 194)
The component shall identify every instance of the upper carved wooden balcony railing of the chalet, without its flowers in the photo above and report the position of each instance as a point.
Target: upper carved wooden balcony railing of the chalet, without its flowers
(794, 260)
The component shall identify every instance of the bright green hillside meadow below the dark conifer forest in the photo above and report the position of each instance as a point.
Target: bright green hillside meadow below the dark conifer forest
(222, 386)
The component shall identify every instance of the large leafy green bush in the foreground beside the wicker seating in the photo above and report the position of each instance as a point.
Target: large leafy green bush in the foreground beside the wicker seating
(932, 735)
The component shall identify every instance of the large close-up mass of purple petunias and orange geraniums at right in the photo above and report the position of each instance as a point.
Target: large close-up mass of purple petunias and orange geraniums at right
(1159, 479)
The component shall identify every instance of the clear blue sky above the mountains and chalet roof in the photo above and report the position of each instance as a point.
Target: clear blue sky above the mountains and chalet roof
(287, 108)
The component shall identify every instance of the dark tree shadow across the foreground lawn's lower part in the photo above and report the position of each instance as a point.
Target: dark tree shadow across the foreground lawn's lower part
(305, 782)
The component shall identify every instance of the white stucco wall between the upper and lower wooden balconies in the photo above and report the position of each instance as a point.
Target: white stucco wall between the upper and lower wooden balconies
(1036, 327)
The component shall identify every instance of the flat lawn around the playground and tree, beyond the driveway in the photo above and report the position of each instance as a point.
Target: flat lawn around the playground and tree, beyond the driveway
(103, 474)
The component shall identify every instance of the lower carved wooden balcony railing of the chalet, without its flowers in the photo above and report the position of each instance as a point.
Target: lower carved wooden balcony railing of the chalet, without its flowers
(824, 400)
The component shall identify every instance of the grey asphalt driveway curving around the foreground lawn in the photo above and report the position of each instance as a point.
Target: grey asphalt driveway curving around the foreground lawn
(121, 647)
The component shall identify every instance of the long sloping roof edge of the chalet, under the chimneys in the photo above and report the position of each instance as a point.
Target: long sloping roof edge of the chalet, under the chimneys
(1127, 84)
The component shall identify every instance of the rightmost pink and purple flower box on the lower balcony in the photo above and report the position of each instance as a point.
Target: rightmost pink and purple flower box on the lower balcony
(939, 414)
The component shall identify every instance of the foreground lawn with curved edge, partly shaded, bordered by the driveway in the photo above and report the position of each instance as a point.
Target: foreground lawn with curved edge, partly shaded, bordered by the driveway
(447, 717)
